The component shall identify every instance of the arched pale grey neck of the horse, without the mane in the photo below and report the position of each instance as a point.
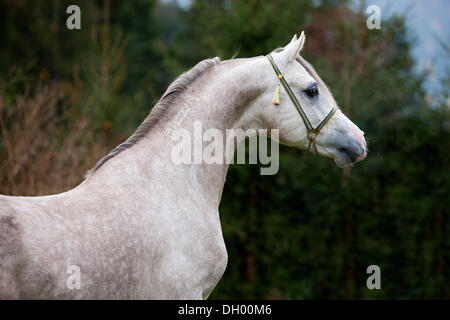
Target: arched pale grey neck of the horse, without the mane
(218, 101)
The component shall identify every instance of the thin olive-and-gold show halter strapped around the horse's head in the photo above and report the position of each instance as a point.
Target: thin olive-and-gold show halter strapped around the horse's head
(311, 132)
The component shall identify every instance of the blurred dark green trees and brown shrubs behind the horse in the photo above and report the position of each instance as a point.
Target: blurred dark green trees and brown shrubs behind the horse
(309, 232)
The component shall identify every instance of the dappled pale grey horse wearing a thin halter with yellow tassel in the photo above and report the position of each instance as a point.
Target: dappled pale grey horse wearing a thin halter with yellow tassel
(142, 227)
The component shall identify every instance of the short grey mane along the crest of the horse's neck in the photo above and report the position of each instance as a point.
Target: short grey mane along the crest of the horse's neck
(173, 92)
